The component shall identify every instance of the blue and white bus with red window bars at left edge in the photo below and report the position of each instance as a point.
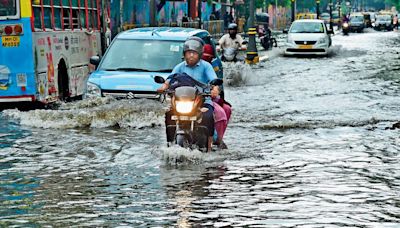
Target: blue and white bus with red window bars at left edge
(46, 46)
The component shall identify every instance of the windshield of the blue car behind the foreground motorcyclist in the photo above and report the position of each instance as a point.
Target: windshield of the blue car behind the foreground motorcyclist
(143, 55)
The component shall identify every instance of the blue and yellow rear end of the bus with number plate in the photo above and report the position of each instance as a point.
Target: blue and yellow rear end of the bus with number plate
(17, 80)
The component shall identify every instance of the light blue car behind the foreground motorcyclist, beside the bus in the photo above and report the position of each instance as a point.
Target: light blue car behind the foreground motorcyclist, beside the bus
(135, 57)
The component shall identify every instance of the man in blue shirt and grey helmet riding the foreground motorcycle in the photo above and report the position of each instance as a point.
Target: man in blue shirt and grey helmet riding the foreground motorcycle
(201, 71)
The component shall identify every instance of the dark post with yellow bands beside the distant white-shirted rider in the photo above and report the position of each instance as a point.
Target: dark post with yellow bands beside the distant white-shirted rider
(252, 54)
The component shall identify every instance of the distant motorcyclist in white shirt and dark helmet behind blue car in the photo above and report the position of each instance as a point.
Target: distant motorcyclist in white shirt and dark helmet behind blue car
(232, 40)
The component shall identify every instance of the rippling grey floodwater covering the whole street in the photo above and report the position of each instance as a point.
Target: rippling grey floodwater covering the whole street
(310, 145)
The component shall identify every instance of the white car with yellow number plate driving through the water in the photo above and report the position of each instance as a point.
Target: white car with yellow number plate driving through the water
(308, 37)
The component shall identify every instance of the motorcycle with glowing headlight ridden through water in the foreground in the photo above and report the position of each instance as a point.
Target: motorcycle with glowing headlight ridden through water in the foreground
(187, 98)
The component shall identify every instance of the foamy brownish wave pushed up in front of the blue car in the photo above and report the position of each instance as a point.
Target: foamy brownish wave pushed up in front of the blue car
(94, 113)
